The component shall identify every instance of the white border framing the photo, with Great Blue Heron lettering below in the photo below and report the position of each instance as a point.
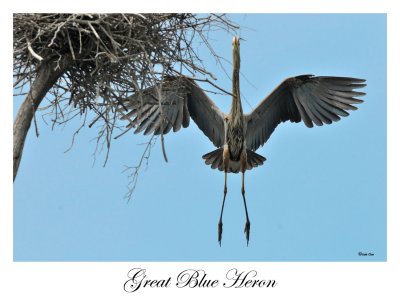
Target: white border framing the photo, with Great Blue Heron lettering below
(104, 281)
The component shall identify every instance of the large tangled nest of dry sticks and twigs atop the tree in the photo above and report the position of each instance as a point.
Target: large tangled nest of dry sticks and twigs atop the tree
(98, 60)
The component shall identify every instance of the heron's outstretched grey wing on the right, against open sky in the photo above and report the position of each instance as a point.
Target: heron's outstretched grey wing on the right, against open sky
(315, 100)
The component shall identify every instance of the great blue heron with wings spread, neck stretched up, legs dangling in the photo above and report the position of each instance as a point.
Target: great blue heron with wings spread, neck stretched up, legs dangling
(314, 100)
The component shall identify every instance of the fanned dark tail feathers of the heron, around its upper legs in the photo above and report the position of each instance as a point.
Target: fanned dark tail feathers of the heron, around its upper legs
(215, 159)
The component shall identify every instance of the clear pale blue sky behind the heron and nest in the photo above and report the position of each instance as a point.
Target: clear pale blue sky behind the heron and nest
(320, 196)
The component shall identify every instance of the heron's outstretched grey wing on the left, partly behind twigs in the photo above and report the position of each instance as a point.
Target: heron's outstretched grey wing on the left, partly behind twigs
(159, 109)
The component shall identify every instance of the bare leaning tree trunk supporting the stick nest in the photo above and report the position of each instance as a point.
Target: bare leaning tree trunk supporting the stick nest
(46, 77)
